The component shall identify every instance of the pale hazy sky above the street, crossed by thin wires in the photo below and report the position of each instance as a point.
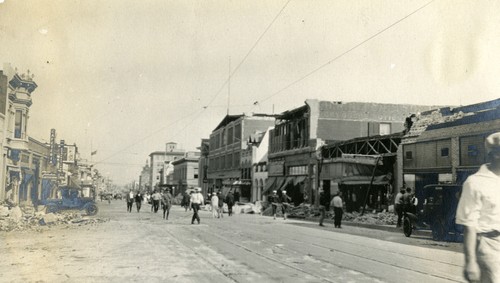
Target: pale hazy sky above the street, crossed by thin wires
(124, 77)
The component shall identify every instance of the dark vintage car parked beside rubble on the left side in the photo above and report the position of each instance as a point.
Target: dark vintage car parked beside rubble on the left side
(72, 198)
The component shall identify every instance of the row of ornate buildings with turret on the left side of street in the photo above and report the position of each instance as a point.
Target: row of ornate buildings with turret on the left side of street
(31, 170)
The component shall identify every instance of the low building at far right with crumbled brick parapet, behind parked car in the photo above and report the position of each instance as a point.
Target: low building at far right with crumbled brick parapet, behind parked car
(446, 145)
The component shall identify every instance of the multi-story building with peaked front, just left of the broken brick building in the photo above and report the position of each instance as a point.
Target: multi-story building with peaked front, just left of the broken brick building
(227, 142)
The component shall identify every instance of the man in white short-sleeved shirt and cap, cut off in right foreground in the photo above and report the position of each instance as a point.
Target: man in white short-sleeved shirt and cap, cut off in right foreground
(479, 211)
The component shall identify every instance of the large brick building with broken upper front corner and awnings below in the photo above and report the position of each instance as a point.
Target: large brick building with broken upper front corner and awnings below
(295, 146)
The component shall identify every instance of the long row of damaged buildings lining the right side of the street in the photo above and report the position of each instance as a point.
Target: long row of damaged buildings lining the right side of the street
(366, 150)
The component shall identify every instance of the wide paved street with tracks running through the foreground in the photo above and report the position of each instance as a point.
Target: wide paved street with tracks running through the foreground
(142, 247)
